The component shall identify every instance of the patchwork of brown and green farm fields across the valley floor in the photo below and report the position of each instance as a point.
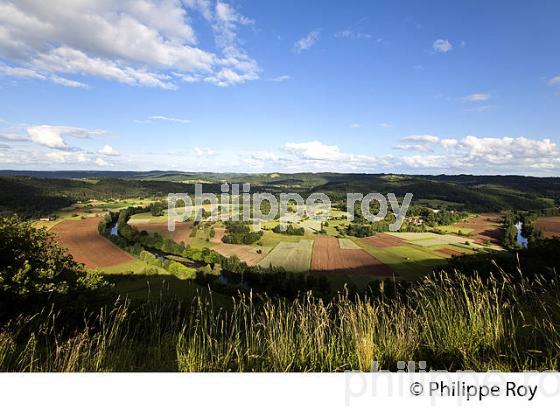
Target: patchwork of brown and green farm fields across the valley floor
(406, 255)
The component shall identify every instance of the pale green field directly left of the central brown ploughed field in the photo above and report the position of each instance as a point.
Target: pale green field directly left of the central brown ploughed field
(292, 256)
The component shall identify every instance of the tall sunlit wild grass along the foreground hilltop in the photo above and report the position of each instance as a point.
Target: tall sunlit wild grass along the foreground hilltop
(448, 320)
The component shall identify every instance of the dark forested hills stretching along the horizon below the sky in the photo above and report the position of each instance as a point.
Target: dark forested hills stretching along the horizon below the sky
(29, 192)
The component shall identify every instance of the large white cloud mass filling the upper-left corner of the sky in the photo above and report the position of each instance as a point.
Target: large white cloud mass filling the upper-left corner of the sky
(137, 42)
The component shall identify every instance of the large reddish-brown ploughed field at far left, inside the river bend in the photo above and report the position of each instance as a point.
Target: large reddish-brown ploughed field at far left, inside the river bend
(84, 243)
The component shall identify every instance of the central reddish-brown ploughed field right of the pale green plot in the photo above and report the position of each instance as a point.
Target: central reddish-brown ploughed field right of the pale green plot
(328, 256)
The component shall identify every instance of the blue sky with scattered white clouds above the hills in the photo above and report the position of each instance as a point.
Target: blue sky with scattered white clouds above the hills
(416, 87)
